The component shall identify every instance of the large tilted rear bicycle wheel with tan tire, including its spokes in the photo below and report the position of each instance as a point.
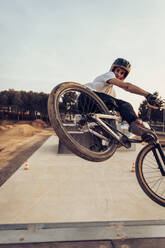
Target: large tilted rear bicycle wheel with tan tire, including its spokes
(70, 106)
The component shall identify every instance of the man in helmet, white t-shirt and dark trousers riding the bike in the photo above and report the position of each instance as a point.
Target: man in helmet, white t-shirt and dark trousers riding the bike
(103, 87)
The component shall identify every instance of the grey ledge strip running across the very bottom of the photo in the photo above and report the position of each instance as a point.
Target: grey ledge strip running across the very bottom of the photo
(85, 234)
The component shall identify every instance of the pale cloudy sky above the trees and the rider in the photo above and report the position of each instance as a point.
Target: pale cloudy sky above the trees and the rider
(46, 42)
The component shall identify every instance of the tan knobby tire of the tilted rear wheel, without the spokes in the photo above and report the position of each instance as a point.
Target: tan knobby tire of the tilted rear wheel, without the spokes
(56, 123)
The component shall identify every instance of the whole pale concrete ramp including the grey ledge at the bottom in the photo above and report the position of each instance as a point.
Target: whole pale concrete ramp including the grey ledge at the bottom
(69, 199)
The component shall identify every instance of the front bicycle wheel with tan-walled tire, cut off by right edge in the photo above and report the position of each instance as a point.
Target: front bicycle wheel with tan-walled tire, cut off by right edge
(149, 176)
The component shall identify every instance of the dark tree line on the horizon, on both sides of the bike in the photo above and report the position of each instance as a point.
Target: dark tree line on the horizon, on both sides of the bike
(22, 105)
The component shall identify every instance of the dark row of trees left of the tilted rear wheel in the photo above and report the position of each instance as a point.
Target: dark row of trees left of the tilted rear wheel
(22, 105)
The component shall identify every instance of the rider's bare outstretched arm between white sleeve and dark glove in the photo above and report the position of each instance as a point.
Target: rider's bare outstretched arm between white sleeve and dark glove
(128, 87)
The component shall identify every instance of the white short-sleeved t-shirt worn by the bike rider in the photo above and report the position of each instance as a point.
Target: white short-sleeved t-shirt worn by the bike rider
(100, 84)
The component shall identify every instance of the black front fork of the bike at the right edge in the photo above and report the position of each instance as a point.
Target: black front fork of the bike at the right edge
(160, 158)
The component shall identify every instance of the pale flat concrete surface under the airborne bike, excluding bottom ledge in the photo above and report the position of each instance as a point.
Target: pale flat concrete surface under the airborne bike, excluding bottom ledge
(66, 188)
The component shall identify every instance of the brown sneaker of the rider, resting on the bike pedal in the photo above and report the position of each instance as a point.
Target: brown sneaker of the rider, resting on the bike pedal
(137, 127)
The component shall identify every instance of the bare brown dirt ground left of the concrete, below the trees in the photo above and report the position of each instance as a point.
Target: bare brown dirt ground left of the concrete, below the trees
(18, 140)
